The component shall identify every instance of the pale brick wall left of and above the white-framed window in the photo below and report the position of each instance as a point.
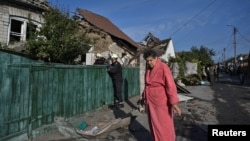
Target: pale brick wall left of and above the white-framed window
(7, 11)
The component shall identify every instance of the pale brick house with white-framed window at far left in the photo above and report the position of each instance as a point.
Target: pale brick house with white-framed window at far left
(15, 16)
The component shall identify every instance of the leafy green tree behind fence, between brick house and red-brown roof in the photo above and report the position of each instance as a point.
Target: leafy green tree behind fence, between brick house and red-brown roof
(59, 39)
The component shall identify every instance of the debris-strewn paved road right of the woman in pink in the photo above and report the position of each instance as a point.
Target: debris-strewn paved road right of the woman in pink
(227, 102)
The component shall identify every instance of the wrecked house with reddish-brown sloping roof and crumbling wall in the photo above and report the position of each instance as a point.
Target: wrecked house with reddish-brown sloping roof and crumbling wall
(108, 39)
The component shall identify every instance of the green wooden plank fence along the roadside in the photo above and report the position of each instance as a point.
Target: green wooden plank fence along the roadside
(32, 93)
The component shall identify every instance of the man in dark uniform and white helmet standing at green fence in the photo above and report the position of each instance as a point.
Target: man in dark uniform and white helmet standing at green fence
(115, 71)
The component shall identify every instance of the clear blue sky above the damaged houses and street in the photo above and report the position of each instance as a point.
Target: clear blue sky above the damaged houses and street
(189, 23)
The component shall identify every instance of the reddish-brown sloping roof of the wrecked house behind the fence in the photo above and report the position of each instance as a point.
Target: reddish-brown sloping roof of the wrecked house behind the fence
(105, 25)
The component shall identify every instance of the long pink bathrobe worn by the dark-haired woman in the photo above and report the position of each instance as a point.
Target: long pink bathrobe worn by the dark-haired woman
(160, 92)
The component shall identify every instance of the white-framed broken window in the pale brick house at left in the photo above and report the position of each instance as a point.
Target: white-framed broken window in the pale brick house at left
(21, 29)
